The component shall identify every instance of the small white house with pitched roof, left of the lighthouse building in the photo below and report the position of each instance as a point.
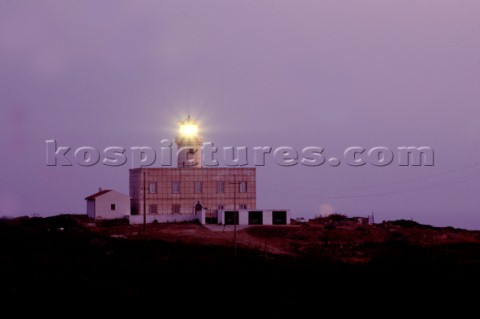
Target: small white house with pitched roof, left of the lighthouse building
(108, 204)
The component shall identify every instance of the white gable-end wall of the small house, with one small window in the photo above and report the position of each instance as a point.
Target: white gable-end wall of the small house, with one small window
(103, 205)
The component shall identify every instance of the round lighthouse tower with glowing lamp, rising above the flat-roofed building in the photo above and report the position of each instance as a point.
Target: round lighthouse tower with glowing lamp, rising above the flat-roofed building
(189, 143)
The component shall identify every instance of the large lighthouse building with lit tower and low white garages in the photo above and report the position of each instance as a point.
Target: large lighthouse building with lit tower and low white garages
(190, 191)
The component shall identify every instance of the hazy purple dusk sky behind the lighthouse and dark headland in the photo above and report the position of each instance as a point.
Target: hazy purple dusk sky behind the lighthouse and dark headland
(297, 73)
